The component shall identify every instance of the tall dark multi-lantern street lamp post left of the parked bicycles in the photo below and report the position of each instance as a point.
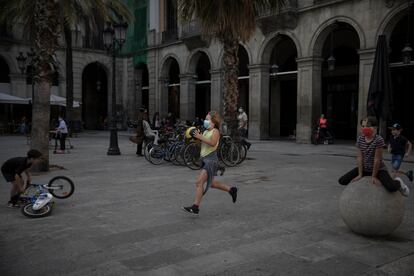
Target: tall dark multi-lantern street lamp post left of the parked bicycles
(114, 37)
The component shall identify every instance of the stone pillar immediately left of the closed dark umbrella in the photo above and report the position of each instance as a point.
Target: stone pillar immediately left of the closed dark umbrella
(366, 62)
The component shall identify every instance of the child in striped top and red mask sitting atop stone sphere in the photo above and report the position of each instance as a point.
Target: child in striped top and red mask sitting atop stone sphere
(370, 163)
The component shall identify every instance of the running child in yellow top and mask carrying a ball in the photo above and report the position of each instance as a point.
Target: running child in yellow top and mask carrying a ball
(209, 143)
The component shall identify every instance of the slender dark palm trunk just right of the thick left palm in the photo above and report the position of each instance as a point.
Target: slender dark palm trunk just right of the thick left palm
(69, 76)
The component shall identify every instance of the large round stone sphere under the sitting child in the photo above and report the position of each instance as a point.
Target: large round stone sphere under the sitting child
(370, 209)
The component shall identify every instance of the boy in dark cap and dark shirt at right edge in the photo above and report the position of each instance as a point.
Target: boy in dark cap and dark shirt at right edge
(399, 147)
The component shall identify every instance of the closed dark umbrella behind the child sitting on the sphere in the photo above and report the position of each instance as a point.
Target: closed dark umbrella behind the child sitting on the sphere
(380, 101)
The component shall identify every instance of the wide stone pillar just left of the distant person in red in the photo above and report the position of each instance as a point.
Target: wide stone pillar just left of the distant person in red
(309, 99)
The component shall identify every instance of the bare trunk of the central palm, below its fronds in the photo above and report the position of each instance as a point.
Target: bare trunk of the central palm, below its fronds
(231, 86)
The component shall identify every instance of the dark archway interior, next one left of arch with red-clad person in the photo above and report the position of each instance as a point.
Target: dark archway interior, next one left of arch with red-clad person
(283, 91)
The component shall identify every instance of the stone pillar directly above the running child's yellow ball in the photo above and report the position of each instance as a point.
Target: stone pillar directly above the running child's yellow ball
(187, 96)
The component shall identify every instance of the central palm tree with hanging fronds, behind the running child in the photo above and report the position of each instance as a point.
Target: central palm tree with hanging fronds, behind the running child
(230, 22)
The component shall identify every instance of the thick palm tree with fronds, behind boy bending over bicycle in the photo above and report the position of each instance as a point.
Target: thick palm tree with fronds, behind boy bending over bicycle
(44, 26)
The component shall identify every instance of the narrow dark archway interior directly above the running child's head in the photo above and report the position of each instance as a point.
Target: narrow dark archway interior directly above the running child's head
(203, 90)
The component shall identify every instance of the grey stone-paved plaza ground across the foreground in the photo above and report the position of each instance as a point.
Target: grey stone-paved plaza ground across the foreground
(125, 219)
